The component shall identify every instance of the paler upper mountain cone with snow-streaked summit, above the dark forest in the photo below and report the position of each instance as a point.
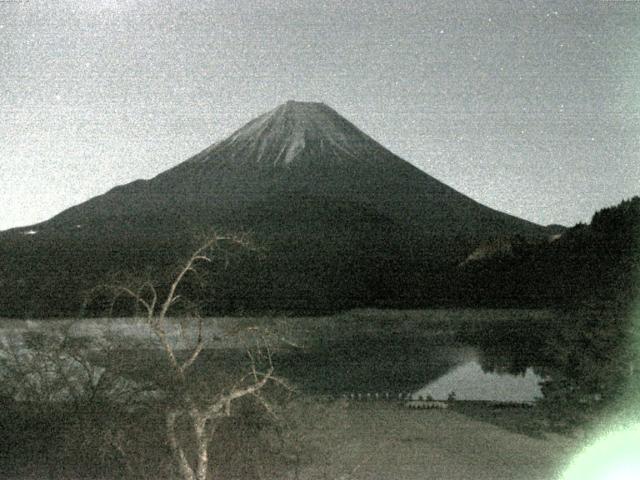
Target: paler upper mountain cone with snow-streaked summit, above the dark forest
(300, 149)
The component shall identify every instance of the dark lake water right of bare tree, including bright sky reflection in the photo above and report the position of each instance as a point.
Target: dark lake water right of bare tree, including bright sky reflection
(499, 360)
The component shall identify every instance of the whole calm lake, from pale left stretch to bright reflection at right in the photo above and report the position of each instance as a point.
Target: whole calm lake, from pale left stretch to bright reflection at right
(477, 355)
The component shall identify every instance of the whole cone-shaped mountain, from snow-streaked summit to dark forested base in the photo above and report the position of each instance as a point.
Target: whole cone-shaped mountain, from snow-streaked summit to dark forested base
(343, 221)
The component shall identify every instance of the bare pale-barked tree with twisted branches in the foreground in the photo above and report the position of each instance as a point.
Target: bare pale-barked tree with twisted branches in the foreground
(199, 410)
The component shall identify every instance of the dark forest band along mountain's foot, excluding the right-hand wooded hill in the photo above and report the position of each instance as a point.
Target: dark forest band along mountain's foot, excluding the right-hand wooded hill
(304, 265)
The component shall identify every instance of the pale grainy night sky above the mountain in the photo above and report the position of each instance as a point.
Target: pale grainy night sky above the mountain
(532, 108)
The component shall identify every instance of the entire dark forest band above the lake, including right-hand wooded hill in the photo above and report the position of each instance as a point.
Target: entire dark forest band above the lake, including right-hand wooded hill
(296, 269)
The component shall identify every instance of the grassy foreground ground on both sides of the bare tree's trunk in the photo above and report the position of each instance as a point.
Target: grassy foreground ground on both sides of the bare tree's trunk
(314, 438)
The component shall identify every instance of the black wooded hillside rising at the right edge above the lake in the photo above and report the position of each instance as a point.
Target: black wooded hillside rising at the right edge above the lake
(587, 265)
